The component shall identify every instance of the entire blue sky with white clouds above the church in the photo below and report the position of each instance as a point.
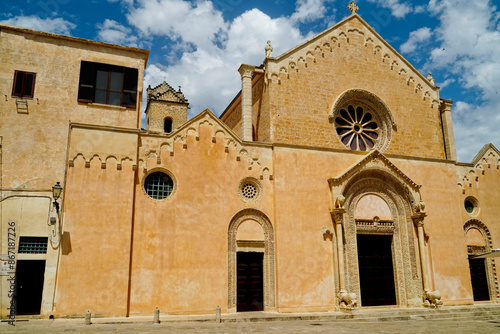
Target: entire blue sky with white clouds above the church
(199, 45)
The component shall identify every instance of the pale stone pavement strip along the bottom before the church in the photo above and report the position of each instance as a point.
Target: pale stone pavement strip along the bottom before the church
(319, 326)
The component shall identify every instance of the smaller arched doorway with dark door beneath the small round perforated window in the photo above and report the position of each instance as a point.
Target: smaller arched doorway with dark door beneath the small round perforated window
(251, 253)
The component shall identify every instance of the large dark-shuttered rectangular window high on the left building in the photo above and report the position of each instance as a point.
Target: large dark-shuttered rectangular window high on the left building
(108, 84)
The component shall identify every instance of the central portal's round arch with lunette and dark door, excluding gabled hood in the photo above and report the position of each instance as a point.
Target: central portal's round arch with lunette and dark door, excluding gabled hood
(381, 251)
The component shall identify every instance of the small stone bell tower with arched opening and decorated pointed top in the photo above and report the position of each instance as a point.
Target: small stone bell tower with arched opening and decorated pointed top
(166, 108)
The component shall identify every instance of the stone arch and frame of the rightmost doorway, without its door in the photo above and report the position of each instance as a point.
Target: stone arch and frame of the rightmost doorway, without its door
(486, 245)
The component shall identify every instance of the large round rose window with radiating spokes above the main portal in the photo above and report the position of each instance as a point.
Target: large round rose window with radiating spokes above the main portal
(357, 128)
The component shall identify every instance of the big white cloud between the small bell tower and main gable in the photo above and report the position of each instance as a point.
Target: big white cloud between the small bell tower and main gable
(212, 49)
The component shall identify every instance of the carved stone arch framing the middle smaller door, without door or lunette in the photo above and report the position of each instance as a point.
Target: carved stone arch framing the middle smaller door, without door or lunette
(268, 260)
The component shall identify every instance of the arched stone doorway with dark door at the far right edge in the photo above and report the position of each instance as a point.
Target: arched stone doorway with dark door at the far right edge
(483, 272)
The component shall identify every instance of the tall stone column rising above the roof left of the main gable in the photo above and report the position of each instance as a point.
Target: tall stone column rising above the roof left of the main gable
(246, 72)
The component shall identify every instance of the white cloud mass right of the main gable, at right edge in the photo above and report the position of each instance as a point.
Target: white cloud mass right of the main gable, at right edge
(472, 55)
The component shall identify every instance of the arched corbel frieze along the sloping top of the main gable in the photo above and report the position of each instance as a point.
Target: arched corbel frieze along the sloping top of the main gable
(338, 35)
